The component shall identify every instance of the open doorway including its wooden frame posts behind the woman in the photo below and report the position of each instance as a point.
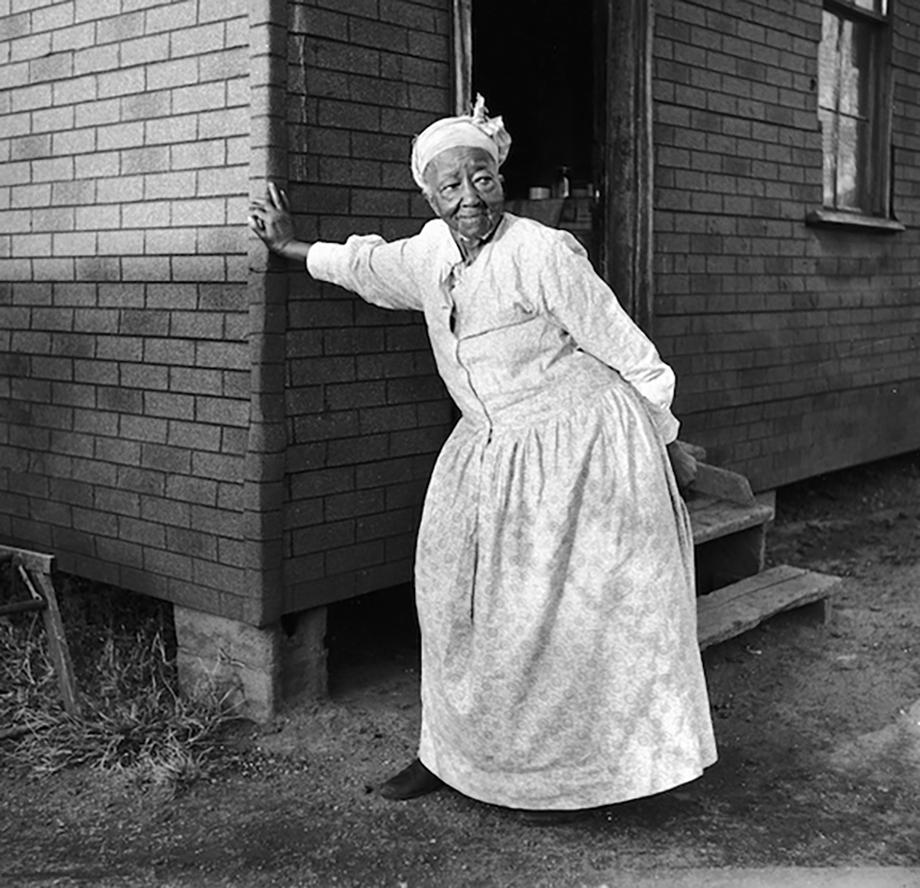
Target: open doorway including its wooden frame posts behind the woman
(575, 89)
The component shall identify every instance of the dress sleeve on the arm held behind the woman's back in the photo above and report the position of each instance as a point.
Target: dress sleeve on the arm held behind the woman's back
(582, 304)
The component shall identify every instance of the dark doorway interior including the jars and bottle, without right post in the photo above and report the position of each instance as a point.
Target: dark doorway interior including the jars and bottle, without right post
(543, 71)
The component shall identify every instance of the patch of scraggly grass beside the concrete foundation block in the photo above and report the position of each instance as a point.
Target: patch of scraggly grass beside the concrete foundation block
(133, 721)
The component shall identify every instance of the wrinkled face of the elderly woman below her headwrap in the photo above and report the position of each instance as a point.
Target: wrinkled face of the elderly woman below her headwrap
(465, 191)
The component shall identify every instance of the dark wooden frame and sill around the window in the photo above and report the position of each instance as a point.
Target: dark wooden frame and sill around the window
(880, 151)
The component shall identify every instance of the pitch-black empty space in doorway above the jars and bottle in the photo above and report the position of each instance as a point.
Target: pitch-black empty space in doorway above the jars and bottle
(535, 65)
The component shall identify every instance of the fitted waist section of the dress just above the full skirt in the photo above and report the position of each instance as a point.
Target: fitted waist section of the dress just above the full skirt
(549, 397)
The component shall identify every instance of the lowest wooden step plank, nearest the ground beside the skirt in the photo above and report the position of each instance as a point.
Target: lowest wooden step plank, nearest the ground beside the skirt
(734, 609)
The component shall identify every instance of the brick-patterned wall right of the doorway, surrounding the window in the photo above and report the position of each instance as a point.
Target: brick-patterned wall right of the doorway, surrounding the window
(796, 347)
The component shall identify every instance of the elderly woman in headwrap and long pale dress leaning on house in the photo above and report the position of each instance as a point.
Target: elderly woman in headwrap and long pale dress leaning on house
(554, 565)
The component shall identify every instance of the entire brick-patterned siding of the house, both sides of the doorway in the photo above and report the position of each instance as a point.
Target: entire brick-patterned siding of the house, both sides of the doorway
(134, 440)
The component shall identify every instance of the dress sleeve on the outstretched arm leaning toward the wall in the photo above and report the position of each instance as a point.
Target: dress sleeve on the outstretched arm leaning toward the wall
(379, 272)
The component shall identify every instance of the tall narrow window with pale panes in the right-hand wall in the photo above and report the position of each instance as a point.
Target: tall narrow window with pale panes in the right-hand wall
(854, 110)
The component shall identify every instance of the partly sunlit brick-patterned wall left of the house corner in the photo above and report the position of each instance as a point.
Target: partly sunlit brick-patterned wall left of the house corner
(124, 391)
